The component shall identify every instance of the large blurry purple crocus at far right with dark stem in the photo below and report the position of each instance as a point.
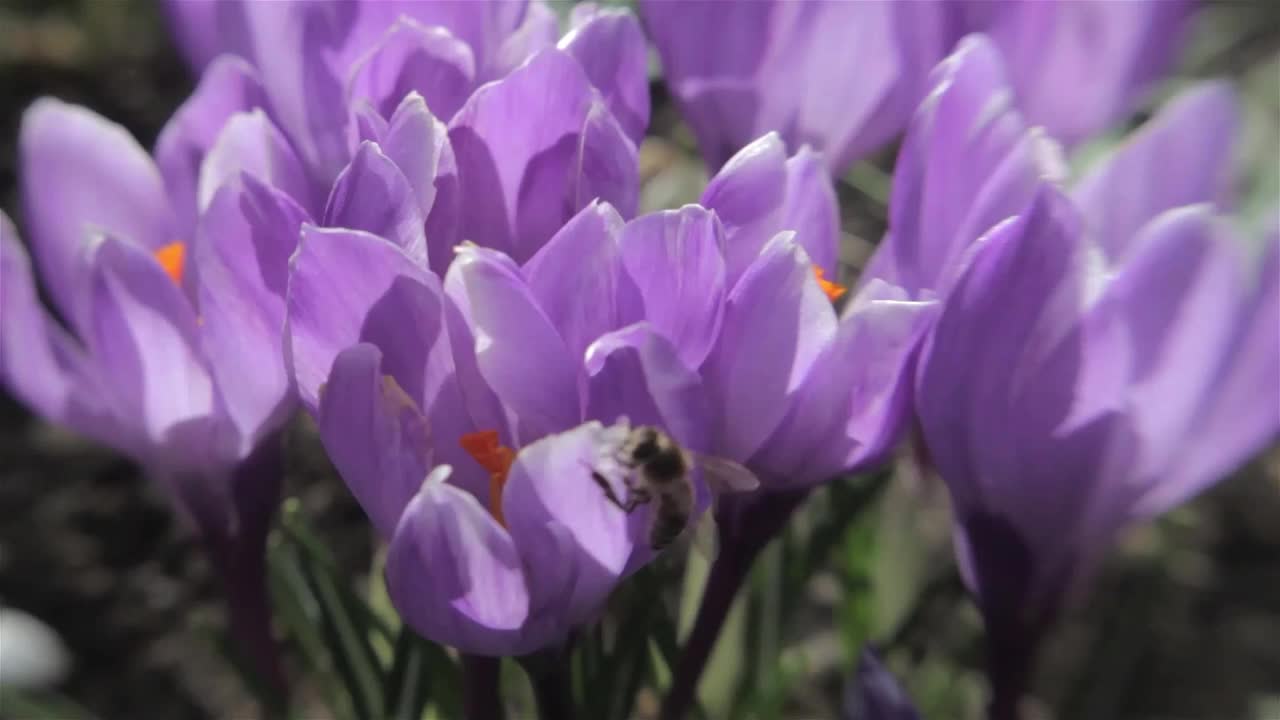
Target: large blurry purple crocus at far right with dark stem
(1100, 357)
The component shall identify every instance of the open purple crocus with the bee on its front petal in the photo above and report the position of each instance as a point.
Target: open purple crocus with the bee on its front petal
(504, 386)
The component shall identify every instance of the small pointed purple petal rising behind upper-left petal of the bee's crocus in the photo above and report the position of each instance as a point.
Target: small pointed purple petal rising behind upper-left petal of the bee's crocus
(373, 195)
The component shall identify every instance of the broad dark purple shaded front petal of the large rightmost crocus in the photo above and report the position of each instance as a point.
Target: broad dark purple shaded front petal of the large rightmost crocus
(998, 393)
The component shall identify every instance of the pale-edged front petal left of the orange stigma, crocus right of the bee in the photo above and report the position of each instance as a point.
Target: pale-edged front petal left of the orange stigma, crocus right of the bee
(778, 321)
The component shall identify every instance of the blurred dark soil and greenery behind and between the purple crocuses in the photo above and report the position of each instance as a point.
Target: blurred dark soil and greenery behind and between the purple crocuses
(1185, 623)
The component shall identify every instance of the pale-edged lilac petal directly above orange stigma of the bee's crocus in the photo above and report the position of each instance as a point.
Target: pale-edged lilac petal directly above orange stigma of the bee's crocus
(518, 349)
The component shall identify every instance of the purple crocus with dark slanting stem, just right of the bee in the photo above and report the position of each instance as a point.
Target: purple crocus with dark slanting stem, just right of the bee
(799, 393)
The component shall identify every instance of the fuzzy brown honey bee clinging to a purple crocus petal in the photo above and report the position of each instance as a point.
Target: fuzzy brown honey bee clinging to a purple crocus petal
(659, 471)
